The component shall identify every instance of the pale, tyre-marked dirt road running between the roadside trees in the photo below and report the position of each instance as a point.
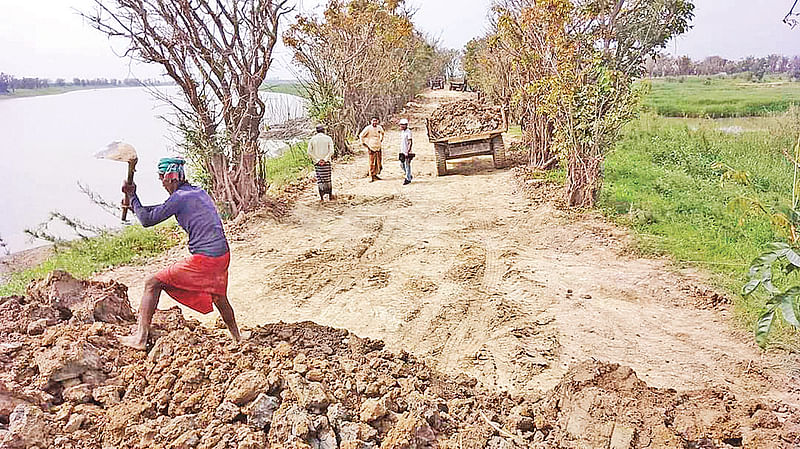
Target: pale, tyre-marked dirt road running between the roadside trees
(471, 274)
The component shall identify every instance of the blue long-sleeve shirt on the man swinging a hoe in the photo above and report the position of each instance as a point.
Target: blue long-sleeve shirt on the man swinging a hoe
(196, 214)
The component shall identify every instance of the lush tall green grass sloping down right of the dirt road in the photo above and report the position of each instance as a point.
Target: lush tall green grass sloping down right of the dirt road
(662, 180)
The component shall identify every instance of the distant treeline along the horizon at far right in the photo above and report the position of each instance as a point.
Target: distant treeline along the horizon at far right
(668, 65)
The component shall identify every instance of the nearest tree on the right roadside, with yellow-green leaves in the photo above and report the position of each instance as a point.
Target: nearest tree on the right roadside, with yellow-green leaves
(594, 51)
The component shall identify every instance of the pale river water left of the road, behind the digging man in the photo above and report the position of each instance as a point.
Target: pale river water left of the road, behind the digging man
(47, 146)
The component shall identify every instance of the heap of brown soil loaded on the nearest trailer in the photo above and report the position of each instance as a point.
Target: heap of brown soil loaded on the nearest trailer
(463, 118)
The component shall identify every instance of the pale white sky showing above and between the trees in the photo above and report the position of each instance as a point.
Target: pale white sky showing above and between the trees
(47, 38)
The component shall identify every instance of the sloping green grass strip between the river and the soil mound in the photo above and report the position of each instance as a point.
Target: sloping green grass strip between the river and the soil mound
(82, 258)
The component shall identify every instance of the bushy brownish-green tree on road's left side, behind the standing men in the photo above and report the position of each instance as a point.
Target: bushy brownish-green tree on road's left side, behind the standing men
(362, 58)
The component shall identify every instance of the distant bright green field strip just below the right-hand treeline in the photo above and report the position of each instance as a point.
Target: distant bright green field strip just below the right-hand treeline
(717, 97)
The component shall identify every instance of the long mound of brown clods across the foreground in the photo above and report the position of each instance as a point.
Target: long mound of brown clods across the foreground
(67, 383)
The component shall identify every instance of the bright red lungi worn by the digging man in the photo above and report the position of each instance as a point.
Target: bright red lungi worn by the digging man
(192, 281)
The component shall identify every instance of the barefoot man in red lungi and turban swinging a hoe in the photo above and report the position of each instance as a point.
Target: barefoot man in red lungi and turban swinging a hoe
(202, 279)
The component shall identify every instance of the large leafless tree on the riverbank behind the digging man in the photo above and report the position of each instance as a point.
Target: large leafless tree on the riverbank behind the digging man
(218, 52)
